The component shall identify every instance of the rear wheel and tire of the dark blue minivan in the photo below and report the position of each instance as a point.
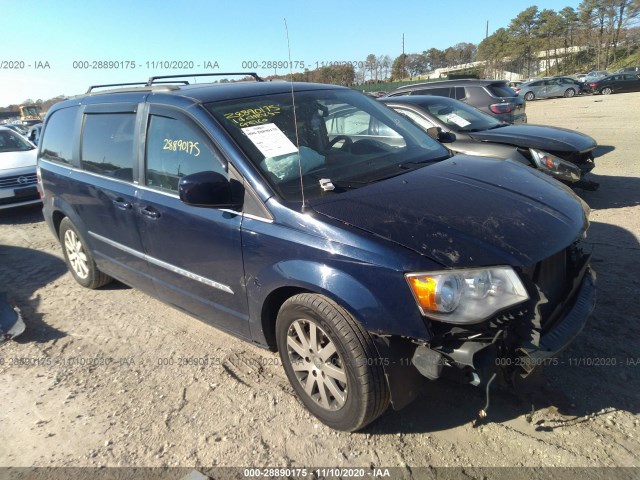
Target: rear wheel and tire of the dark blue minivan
(78, 257)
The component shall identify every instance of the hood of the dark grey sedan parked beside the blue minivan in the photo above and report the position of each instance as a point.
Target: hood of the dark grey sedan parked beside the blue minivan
(550, 139)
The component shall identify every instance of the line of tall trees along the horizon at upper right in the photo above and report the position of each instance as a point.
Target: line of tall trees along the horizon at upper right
(590, 37)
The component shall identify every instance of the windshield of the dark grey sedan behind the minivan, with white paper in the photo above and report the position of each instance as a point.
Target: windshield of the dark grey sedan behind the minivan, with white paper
(458, 116)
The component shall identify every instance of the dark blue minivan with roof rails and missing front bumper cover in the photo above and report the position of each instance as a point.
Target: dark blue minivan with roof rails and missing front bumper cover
(315, 221)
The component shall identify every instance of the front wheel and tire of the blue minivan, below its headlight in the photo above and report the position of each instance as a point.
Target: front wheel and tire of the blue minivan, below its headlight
(344, 387)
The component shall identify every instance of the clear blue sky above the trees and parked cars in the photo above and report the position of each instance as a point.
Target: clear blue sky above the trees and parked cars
(61, 47)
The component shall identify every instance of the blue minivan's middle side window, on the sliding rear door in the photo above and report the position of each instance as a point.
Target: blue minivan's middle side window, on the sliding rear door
(107, 144)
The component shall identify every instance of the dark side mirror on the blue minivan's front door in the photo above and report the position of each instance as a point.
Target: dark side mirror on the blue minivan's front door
(208, 189)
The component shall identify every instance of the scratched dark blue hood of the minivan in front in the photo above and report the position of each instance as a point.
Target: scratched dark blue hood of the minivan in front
(466, 211)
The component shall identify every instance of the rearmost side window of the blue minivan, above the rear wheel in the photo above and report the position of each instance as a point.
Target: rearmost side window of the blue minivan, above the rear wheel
(57, 143)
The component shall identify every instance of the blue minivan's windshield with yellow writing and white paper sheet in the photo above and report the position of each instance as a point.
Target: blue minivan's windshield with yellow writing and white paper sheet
(346, 140)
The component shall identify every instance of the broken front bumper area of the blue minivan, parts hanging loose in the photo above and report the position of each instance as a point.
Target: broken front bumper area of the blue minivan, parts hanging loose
(505, 355)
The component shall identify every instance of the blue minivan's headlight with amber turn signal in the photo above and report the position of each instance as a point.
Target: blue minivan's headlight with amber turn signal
(466, 296)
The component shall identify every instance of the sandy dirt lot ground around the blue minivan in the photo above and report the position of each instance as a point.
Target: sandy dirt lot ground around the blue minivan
(116, 378)
